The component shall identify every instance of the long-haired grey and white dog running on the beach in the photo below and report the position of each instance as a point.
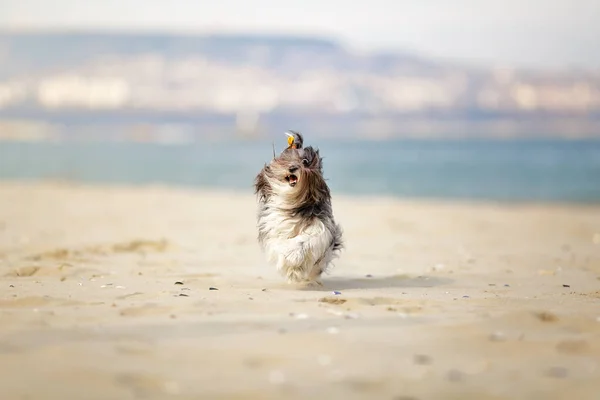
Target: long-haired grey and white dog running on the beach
(296, 227)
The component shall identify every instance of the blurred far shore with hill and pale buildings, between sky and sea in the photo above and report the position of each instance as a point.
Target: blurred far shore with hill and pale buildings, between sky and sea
(97, 77)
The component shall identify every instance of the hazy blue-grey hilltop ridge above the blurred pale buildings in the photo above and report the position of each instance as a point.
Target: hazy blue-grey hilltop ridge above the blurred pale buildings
(37, 51)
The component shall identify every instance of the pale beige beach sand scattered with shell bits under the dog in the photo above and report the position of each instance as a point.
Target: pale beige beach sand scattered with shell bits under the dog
(105, 293)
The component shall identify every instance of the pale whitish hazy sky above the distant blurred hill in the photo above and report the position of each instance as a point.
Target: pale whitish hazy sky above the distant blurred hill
(551, 33)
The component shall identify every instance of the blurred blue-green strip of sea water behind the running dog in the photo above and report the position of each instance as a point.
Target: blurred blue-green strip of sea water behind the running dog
(533, 170)
